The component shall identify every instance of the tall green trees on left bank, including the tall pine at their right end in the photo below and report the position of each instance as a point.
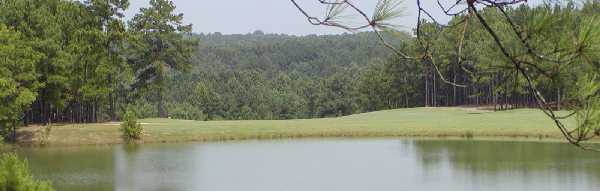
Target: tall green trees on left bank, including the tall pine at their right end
(81, 62)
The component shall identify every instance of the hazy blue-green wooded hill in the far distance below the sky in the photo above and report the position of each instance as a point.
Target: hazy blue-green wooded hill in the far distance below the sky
(272, 53)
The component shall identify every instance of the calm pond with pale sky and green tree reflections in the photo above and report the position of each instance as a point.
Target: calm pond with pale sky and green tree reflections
(329, 164)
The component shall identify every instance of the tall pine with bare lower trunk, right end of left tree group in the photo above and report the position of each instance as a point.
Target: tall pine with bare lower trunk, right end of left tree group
(161, 45)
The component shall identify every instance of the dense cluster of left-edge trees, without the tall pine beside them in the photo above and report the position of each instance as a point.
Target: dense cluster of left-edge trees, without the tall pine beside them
(67, 50)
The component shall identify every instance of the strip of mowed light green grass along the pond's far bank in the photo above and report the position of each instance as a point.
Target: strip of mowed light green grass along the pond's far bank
(414, 122)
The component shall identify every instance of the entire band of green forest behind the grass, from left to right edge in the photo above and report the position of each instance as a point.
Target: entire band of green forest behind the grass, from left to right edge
(82, 62)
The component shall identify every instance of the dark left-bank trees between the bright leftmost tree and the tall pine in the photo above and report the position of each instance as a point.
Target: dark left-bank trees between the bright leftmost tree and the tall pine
(78, 67)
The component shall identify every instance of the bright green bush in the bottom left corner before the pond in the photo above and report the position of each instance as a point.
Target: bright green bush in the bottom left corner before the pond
(15, 176)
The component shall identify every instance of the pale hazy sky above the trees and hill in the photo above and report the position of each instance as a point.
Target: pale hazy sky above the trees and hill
(273, 16)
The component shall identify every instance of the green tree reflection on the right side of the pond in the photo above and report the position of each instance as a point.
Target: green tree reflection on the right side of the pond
(520, 165)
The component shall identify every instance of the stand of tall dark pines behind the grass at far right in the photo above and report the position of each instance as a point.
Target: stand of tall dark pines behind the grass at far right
(466, 54)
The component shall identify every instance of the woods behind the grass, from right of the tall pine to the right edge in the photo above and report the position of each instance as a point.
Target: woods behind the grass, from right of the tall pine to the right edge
(262, 76)
